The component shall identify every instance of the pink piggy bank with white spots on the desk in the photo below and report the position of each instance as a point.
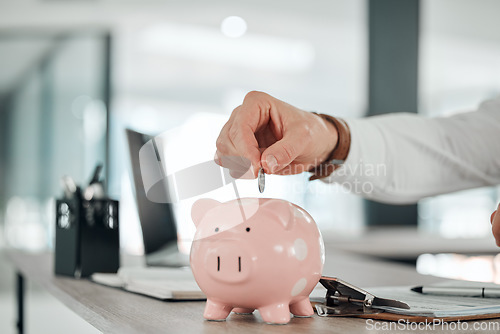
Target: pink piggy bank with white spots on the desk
(251, 253)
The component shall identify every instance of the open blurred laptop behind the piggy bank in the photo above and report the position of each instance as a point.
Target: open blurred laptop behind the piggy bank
(157, 220)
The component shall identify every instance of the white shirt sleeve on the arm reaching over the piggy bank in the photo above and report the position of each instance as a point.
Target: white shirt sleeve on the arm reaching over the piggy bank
(401, 158)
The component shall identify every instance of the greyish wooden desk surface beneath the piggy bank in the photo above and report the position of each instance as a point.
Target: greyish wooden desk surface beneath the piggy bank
(115, 311)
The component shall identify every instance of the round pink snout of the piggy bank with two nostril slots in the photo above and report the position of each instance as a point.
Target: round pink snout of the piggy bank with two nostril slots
(228, 262)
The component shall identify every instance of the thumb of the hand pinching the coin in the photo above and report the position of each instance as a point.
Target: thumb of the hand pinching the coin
(282, 153)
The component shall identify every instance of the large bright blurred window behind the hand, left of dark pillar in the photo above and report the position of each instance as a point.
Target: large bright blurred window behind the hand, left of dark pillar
(193, 72)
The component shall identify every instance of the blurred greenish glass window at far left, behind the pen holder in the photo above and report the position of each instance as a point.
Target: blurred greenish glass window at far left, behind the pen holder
(55, 125)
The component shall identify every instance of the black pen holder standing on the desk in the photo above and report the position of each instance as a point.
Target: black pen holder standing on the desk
(87, 237)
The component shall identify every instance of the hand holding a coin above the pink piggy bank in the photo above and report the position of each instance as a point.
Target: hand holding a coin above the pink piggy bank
(275, 135)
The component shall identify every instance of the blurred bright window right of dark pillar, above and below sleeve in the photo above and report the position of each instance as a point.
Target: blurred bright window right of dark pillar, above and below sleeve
(459, 68)
